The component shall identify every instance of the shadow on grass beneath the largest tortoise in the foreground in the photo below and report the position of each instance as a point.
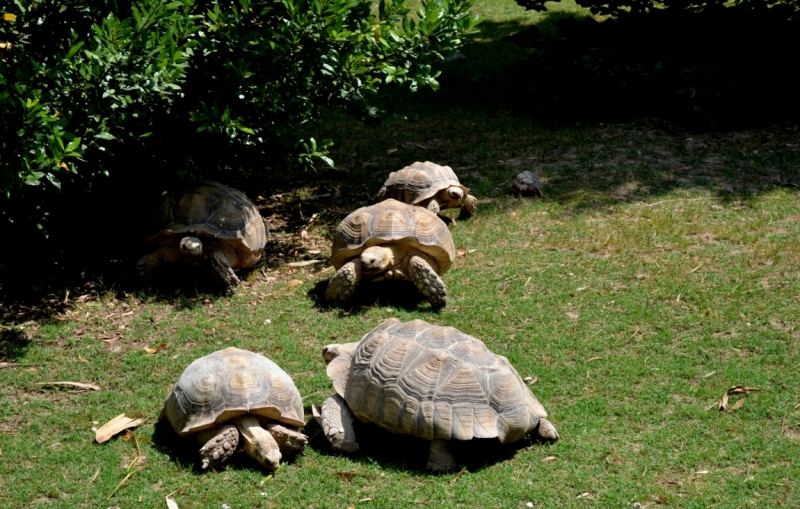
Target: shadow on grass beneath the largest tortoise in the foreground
(404, 453)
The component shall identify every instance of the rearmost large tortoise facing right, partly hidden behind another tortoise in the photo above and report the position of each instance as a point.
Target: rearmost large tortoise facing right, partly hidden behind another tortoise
(431, 186)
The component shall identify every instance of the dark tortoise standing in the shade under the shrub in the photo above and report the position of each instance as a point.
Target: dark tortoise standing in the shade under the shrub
(208, 225)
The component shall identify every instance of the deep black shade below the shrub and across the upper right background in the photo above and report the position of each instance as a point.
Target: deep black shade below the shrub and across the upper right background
(680, 67)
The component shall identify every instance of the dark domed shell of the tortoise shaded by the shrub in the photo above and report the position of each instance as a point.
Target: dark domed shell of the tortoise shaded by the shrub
(214, 211)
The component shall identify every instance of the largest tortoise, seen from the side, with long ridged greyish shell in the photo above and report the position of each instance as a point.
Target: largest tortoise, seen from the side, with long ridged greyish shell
(428, 381)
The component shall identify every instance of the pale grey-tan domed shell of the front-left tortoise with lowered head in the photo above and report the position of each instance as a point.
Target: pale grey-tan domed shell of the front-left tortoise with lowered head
(229, 383)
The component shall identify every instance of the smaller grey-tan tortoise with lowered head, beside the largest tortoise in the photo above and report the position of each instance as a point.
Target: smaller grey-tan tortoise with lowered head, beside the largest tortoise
(232, 392)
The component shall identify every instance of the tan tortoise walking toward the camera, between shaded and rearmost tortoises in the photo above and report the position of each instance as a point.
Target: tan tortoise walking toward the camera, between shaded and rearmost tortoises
(391, 240)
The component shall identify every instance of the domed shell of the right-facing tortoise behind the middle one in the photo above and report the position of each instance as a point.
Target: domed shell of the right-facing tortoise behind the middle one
(418, 182)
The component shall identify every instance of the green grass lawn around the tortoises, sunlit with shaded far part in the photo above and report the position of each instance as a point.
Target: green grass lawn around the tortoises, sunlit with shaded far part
(661, 268)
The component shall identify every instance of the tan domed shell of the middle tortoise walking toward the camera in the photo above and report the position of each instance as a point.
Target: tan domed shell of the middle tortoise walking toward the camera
(391, 221)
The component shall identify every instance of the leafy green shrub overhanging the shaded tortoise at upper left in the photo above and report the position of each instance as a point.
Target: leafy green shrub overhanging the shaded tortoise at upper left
(188, 85)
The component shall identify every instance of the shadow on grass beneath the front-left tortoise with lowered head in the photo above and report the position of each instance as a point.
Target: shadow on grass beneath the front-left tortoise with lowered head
(185, 452)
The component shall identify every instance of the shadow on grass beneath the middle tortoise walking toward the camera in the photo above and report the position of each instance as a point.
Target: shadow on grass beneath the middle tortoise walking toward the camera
(397, 294)
